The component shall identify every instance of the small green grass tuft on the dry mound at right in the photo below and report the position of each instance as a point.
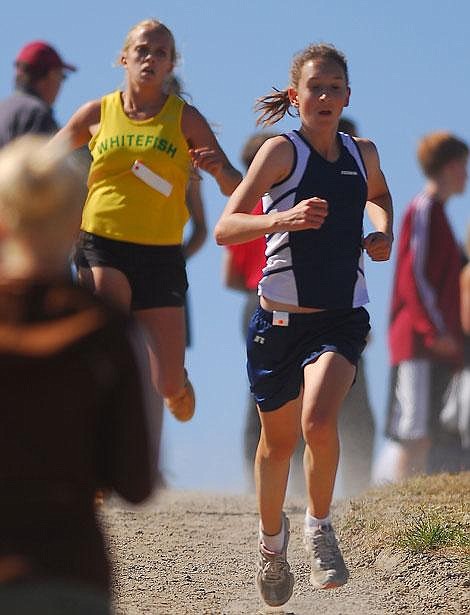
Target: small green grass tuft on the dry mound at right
(428, 531)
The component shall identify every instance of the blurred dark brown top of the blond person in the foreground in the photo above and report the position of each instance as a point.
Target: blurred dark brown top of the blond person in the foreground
(73, 419)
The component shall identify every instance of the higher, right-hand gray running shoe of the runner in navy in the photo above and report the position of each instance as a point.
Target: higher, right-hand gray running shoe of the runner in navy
(328, 567)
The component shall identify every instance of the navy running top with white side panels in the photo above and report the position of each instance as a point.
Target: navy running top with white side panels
(319, 268)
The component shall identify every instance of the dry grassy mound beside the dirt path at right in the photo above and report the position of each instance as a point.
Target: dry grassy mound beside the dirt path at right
(425, 513)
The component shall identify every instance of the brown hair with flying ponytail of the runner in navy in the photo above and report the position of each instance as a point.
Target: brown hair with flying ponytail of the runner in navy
(274, 106)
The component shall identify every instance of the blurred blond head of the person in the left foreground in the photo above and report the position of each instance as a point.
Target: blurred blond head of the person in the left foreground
(41, 197)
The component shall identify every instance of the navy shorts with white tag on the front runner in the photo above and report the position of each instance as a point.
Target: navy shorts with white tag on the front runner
(277, 355)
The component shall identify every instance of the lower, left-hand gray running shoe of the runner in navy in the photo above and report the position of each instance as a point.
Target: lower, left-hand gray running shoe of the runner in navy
(274, 579)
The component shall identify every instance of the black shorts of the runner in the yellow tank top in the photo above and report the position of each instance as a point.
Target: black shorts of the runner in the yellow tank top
(156, 274)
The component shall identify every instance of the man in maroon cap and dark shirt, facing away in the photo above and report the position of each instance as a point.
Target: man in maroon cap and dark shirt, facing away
(40, 72)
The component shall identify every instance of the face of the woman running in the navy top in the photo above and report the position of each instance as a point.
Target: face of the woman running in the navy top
(321, 94)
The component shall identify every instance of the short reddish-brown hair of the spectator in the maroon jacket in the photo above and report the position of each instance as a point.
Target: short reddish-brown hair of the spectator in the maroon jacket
(437, 149)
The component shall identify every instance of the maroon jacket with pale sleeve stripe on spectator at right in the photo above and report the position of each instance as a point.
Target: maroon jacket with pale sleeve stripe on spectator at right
(426, 293)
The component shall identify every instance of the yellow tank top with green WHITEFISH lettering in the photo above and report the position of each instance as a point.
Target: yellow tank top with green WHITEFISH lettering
(120, 205)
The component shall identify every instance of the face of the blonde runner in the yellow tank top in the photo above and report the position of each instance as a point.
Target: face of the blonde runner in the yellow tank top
(149, 58)
